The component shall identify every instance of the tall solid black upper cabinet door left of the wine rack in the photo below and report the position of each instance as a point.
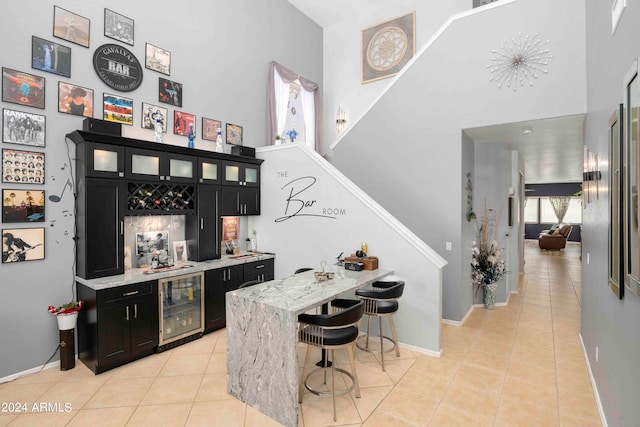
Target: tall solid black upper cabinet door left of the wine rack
(102, 252)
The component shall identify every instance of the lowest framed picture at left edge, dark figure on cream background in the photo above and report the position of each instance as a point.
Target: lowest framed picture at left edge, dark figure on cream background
(22, 244)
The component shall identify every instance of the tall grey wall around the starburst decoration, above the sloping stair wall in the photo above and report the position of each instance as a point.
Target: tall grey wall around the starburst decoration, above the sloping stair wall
(410, 140)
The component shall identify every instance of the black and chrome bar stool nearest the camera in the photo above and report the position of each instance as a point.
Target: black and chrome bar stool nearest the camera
(330, 332)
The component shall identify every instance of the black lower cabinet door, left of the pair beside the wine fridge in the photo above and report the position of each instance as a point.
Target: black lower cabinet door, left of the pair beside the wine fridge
(113, 334)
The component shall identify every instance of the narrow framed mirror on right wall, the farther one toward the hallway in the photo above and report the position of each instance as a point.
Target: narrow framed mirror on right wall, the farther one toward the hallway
(616, 266)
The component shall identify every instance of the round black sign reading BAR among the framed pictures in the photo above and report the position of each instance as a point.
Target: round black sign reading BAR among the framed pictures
(117, 67)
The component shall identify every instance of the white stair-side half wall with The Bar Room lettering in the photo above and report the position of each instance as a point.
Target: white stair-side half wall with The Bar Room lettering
(314, 213)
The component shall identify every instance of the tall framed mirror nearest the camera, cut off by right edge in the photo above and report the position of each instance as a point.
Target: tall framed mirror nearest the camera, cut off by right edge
(631, 169)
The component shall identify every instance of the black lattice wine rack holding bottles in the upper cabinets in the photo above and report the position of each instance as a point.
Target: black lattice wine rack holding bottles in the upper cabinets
(147, 198)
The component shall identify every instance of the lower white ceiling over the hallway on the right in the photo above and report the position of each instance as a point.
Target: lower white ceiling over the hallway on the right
(552, 152)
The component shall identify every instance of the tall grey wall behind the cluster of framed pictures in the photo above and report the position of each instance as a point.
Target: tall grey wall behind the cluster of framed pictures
(220, 52)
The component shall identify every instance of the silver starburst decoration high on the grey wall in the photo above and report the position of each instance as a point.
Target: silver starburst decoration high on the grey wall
(519, 60)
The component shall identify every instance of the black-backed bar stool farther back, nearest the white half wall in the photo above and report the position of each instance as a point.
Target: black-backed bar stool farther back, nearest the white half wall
(381, 301)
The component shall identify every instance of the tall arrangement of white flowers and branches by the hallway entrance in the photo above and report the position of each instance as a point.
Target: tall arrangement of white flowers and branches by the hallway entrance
(487, 265)
